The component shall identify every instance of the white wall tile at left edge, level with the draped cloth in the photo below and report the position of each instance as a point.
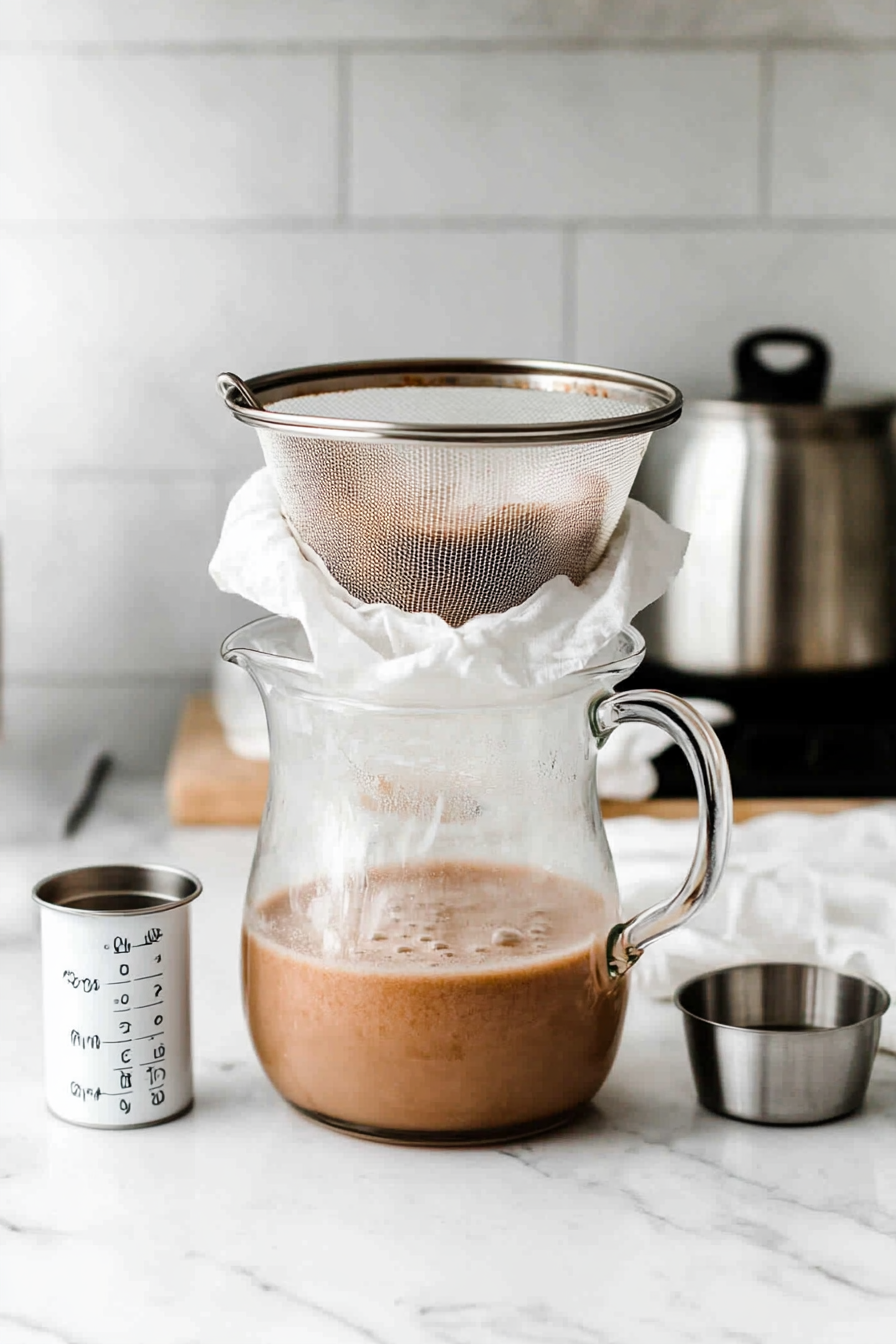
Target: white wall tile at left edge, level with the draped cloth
(108, 577)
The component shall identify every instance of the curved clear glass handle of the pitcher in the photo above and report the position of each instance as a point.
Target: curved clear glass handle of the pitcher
(707, 760)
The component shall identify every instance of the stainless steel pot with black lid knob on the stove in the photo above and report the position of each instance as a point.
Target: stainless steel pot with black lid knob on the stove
(792, 507)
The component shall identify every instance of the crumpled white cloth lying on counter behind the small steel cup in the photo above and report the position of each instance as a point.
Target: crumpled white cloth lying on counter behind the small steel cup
(797, 888)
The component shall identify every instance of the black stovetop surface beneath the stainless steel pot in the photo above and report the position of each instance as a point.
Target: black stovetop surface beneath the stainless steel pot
(817, 736)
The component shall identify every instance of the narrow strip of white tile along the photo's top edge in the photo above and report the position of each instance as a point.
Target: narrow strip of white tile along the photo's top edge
(402, 21)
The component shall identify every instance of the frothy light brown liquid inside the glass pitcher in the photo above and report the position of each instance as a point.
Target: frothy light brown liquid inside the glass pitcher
(433, 1019)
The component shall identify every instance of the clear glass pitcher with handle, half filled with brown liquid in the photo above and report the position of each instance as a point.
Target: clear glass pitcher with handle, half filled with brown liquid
(432, 946)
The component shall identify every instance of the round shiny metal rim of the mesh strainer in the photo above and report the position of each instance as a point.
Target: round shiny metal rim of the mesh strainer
(248, 400)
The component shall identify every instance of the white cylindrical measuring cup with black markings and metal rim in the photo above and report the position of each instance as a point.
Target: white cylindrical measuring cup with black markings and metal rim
(115, 946)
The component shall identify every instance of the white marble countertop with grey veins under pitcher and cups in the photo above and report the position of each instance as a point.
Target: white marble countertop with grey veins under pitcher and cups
(649, 1222)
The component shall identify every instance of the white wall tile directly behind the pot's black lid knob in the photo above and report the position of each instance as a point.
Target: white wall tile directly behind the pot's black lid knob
(674, 304)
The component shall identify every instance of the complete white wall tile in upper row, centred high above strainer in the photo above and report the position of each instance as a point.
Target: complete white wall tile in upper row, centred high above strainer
(555, 134)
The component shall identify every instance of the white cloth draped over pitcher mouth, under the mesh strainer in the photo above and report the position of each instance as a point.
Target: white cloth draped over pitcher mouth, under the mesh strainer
(378, 648)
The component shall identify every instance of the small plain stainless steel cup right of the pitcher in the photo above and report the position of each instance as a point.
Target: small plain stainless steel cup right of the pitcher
(782, 1044)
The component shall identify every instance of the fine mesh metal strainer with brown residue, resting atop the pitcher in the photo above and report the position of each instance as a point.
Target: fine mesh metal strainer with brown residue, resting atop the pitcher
(456, 487)
